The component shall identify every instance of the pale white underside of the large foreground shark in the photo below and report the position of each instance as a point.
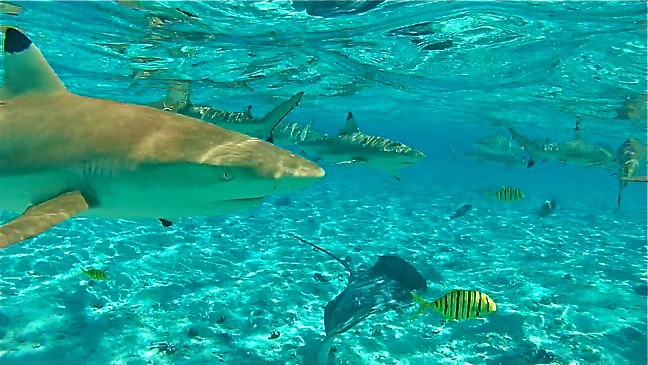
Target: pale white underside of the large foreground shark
(149, 193)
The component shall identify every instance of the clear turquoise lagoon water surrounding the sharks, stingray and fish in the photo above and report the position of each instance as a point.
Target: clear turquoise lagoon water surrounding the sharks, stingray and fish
(570, 288)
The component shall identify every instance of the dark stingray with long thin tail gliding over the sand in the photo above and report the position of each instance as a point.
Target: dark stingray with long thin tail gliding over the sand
(385, 286)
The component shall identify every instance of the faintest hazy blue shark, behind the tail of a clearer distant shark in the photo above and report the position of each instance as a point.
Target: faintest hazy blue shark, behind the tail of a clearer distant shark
(501, 150)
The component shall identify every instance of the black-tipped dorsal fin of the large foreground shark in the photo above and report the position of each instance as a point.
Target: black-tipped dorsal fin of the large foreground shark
(26, 70)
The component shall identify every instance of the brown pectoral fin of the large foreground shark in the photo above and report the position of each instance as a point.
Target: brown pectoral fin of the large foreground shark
(39, 218)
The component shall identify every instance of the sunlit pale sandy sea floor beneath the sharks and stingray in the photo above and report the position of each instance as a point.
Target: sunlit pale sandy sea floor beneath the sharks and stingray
(570, 288)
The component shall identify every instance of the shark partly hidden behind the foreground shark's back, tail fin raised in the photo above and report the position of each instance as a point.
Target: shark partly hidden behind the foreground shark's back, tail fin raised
(178, 101)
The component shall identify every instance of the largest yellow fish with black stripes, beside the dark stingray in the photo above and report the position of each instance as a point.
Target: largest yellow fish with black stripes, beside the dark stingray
(458, 304)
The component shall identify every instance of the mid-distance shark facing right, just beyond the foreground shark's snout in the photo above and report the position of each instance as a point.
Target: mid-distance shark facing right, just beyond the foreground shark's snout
(350, 146)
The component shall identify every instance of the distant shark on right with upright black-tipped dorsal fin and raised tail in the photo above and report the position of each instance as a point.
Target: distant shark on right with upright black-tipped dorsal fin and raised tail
(574, 152)
